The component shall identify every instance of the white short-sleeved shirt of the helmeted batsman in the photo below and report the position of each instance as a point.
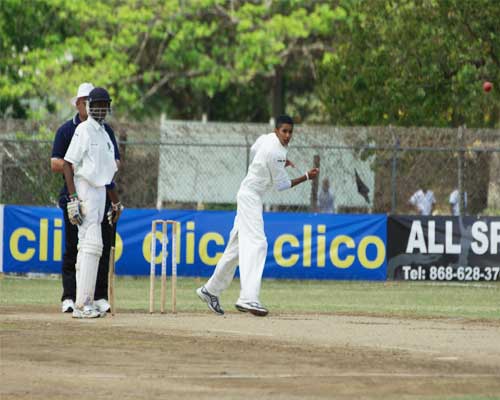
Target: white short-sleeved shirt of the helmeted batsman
(92, 153)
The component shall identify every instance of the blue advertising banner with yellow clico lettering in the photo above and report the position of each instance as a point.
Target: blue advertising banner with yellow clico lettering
(300, 245)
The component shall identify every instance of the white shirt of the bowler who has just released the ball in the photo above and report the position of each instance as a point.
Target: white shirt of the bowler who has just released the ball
(267, 168)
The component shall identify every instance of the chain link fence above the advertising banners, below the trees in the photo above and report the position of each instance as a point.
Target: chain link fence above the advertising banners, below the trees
(196, 165)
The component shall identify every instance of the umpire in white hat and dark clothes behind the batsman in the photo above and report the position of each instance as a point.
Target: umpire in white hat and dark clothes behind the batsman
(59, 148)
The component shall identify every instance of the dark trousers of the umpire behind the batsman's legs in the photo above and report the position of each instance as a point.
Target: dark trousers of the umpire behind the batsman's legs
(69, 260)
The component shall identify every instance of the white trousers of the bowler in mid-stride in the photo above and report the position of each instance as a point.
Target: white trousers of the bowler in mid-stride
(247, 247)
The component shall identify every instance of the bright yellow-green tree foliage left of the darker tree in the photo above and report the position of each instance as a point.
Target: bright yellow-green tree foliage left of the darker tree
(182, 57)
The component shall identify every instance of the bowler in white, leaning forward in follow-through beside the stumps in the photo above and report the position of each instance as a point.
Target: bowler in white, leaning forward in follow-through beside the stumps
(247, 246)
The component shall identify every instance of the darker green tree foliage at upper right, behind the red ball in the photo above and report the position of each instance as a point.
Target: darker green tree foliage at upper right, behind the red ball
(415, 62)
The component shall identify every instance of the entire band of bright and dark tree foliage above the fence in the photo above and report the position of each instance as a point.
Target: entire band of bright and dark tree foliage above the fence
(350, 62)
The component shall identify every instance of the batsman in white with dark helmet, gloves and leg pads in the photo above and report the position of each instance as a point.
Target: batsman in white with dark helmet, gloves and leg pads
(89, 165)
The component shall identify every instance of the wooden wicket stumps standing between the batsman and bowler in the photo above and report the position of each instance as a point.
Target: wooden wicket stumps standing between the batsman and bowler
(164, 227)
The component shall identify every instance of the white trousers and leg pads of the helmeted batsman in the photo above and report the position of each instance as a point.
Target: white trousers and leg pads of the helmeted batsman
(89, 240)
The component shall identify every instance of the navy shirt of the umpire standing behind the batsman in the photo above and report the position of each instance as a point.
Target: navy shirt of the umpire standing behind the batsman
(61, 143)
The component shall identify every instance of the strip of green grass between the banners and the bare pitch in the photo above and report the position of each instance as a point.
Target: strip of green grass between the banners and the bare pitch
(403, 299)
